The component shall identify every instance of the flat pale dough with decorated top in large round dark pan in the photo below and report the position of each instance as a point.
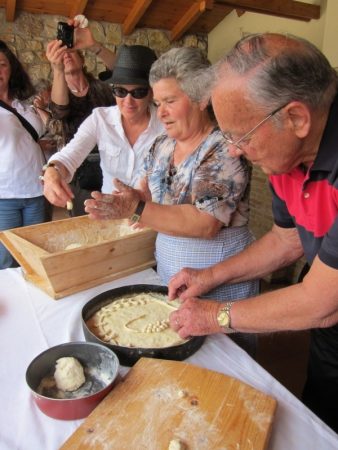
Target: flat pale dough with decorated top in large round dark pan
(136, 320)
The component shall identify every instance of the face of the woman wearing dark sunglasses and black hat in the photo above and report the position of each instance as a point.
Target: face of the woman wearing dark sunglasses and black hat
(133, 108)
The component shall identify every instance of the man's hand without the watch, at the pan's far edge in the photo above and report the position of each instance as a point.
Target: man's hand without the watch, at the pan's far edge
(191, 283)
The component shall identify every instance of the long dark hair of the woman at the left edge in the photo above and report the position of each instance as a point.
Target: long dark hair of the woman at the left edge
(20, 85)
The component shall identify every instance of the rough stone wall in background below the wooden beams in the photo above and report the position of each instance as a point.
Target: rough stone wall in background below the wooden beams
(29, 34)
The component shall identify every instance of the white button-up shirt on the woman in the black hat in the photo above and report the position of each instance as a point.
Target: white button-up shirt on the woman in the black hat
(118, 158)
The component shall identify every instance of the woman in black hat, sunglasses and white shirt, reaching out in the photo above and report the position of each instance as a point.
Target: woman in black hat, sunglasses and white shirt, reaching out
(123, 133)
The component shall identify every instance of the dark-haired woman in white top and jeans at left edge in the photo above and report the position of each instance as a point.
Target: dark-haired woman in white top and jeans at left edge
(21, 199)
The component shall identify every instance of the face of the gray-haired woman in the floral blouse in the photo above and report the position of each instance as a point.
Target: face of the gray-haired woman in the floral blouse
(179, 115)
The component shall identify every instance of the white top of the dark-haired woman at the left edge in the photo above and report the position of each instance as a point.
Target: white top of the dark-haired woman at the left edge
(21, 157)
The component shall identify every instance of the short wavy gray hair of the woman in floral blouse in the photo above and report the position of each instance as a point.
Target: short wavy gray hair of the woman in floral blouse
(183, 64)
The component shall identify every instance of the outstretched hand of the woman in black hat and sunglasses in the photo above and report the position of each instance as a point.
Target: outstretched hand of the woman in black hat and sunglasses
(55, 189)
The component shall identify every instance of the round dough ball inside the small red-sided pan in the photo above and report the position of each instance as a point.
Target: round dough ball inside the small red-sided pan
(69, 374)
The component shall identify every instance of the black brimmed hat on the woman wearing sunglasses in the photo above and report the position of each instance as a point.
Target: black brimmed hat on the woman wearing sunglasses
(132, 65)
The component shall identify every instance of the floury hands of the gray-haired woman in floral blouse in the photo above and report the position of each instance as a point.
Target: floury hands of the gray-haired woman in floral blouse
(119, 205)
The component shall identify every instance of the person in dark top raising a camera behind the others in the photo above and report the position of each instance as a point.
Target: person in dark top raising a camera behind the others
(75, 93)
